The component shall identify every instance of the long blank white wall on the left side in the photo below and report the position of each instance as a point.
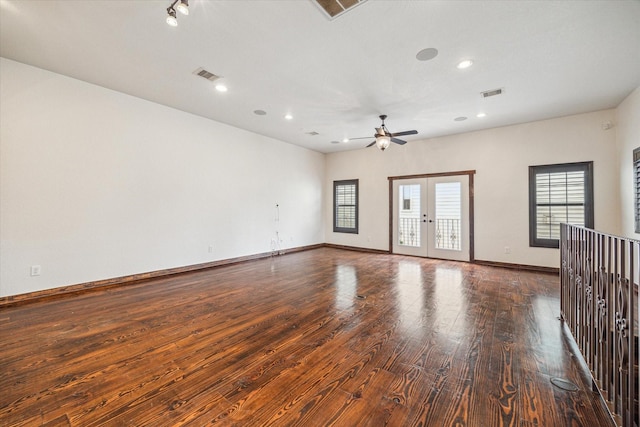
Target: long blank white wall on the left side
(95, 184)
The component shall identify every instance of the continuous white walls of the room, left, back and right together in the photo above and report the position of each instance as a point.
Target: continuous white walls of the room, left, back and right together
(95, 184)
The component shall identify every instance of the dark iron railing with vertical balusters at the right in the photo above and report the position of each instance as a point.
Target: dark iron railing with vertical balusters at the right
(599, 281)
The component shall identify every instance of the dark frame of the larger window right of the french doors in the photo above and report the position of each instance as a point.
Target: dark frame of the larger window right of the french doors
(587, 167)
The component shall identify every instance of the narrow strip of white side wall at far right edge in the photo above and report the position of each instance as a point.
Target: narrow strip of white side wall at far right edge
(628, 135)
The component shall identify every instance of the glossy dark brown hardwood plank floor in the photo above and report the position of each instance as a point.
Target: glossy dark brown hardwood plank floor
(315, 338)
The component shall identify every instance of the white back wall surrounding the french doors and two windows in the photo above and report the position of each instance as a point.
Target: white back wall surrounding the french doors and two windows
(501, 158)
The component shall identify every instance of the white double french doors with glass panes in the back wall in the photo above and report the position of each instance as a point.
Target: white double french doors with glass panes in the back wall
(431, 217)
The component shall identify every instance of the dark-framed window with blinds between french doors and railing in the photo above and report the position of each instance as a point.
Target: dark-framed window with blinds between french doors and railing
(558, 194)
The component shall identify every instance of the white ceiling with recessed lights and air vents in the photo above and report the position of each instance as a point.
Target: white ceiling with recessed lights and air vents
(553, 58)
